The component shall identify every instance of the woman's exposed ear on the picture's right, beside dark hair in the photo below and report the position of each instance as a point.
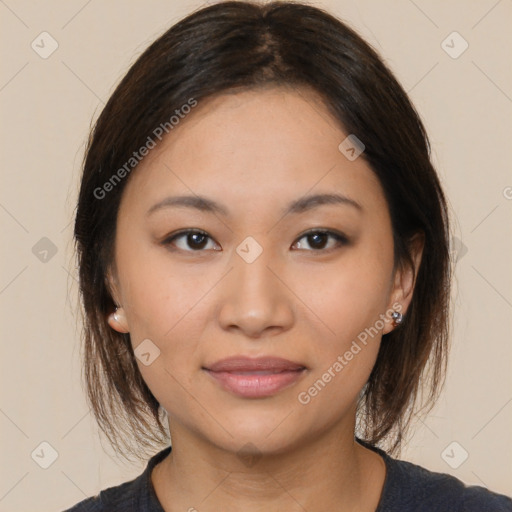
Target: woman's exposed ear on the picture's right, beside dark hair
(405, 280)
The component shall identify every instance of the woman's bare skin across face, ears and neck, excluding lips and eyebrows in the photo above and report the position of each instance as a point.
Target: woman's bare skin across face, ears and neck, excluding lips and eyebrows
(254, 152)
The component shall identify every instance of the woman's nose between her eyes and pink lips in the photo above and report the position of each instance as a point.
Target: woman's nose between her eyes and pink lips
(255, 299)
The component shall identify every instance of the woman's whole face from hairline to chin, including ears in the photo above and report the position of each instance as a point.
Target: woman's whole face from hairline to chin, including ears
(259, 269)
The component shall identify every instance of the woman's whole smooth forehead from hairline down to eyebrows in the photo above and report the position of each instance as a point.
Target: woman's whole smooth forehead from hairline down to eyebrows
(254, 146)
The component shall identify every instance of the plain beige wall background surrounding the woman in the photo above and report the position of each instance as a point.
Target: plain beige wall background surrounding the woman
(47, 106)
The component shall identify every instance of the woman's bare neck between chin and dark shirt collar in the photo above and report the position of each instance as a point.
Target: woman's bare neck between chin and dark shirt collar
(331, 472)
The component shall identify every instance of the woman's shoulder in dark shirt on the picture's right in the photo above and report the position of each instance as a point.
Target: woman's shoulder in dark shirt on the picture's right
(412, 487)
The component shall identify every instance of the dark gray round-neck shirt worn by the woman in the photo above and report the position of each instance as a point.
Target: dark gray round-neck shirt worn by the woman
(407, 488)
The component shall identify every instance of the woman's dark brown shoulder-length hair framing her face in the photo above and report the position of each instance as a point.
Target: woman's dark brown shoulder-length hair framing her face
(224, 48)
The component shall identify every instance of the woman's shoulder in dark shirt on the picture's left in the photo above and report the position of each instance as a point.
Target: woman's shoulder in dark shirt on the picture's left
(137, 494)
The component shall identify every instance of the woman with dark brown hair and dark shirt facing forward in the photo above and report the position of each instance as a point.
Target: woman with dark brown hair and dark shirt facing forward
(264, 268)
